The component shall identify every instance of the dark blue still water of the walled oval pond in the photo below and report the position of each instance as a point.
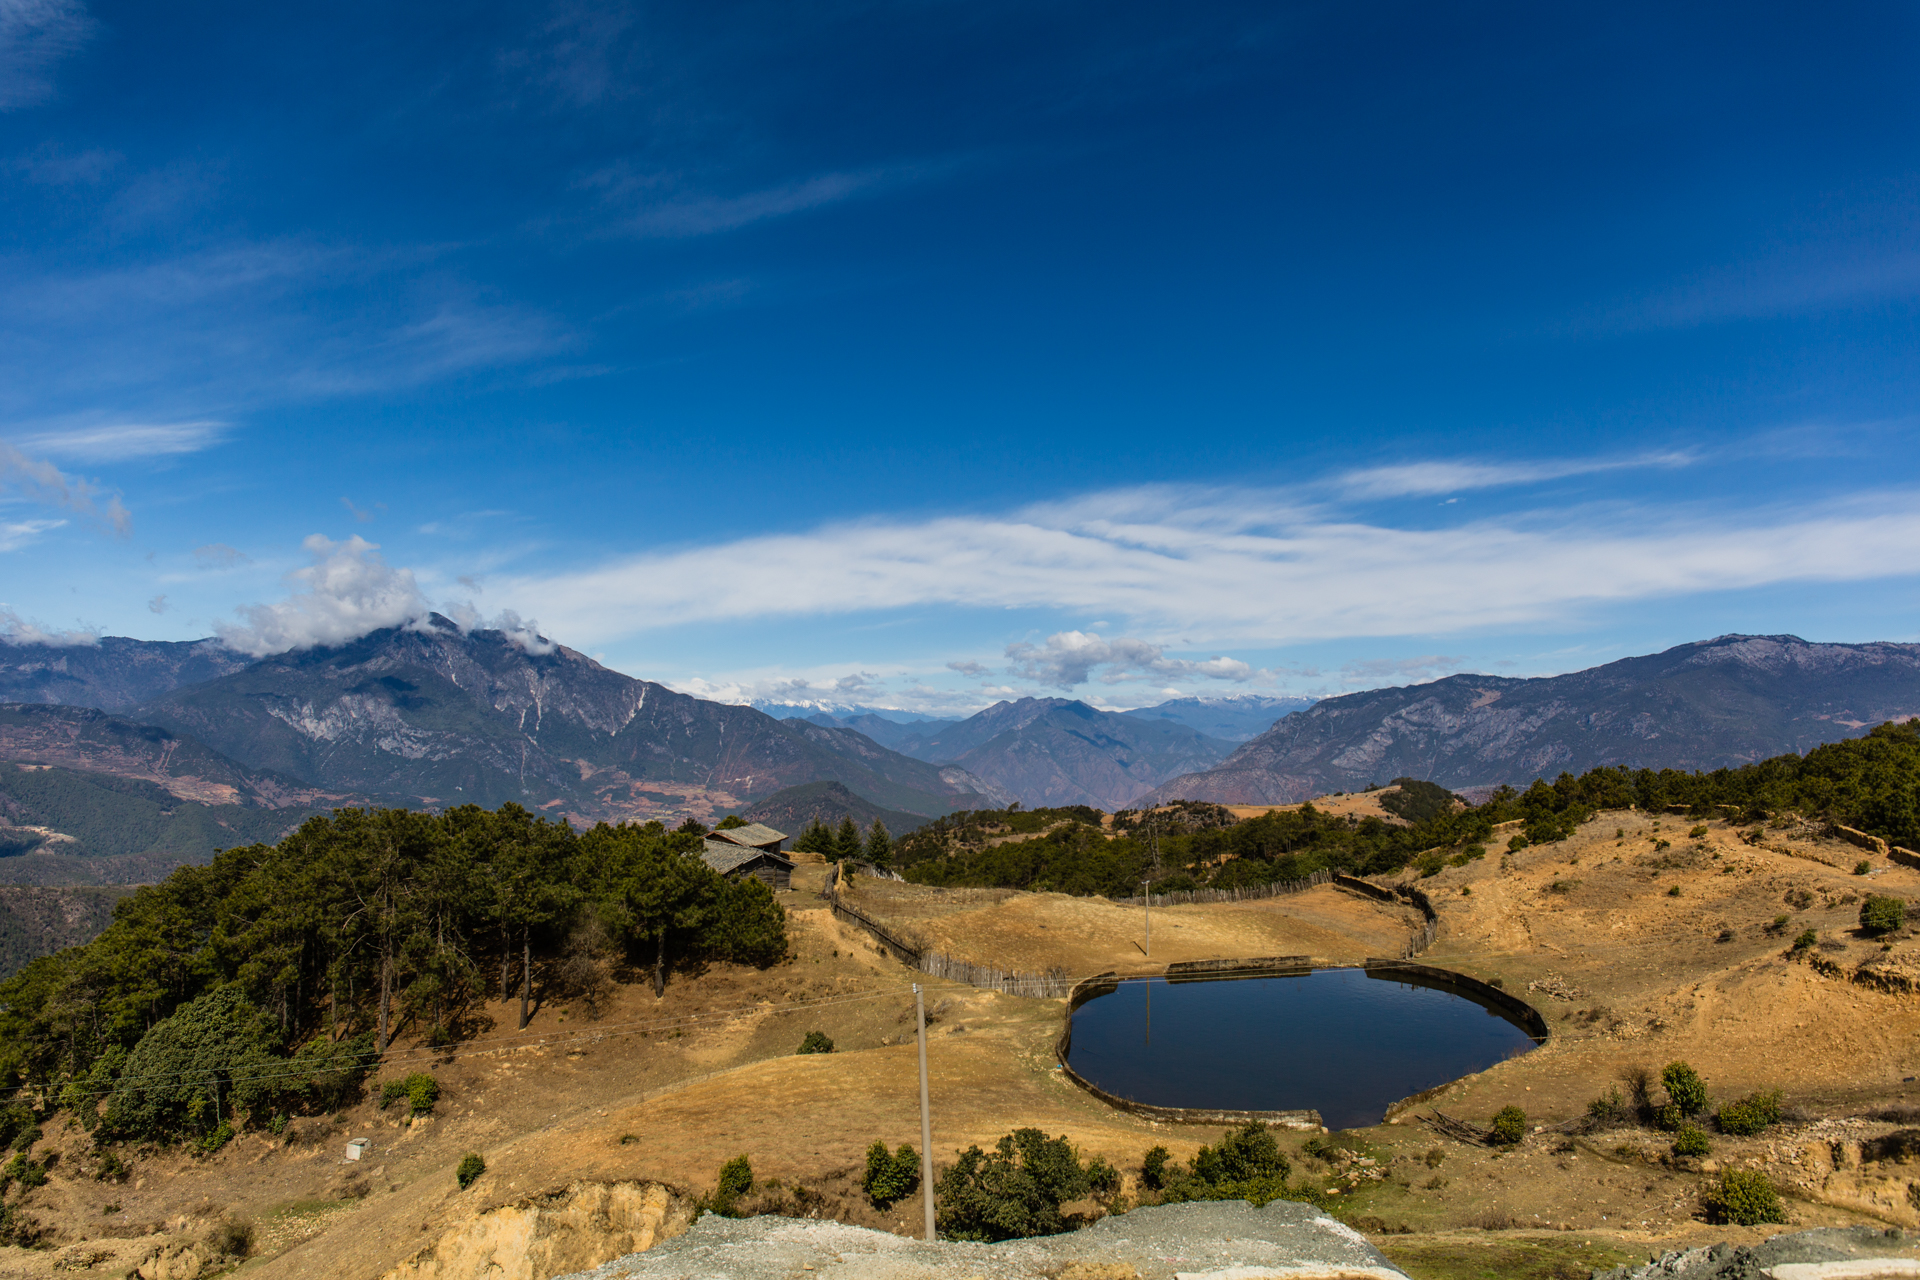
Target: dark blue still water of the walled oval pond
(1337, 1041)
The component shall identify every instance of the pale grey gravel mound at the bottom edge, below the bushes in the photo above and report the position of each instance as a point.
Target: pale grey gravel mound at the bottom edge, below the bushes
(1220, 1241)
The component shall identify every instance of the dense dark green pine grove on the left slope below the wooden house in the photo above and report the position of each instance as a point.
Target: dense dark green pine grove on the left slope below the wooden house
(277, 976)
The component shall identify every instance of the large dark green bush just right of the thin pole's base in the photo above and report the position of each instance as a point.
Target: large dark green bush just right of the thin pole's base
(1015, 1191)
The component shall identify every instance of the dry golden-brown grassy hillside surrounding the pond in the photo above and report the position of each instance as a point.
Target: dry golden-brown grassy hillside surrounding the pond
(663, 1093)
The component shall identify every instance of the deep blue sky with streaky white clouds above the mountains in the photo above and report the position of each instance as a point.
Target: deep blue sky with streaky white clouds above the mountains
(924, 354)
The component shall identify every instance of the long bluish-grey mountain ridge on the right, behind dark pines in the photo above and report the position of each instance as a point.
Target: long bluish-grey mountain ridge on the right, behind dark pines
(1710, 705)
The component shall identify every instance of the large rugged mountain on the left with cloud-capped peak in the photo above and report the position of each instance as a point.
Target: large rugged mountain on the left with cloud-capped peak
(435, 715)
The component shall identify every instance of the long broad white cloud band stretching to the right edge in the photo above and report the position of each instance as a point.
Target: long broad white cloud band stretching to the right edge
(1226, 567)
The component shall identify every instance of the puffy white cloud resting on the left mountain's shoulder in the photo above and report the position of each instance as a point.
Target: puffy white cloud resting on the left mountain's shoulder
(343, 596)
